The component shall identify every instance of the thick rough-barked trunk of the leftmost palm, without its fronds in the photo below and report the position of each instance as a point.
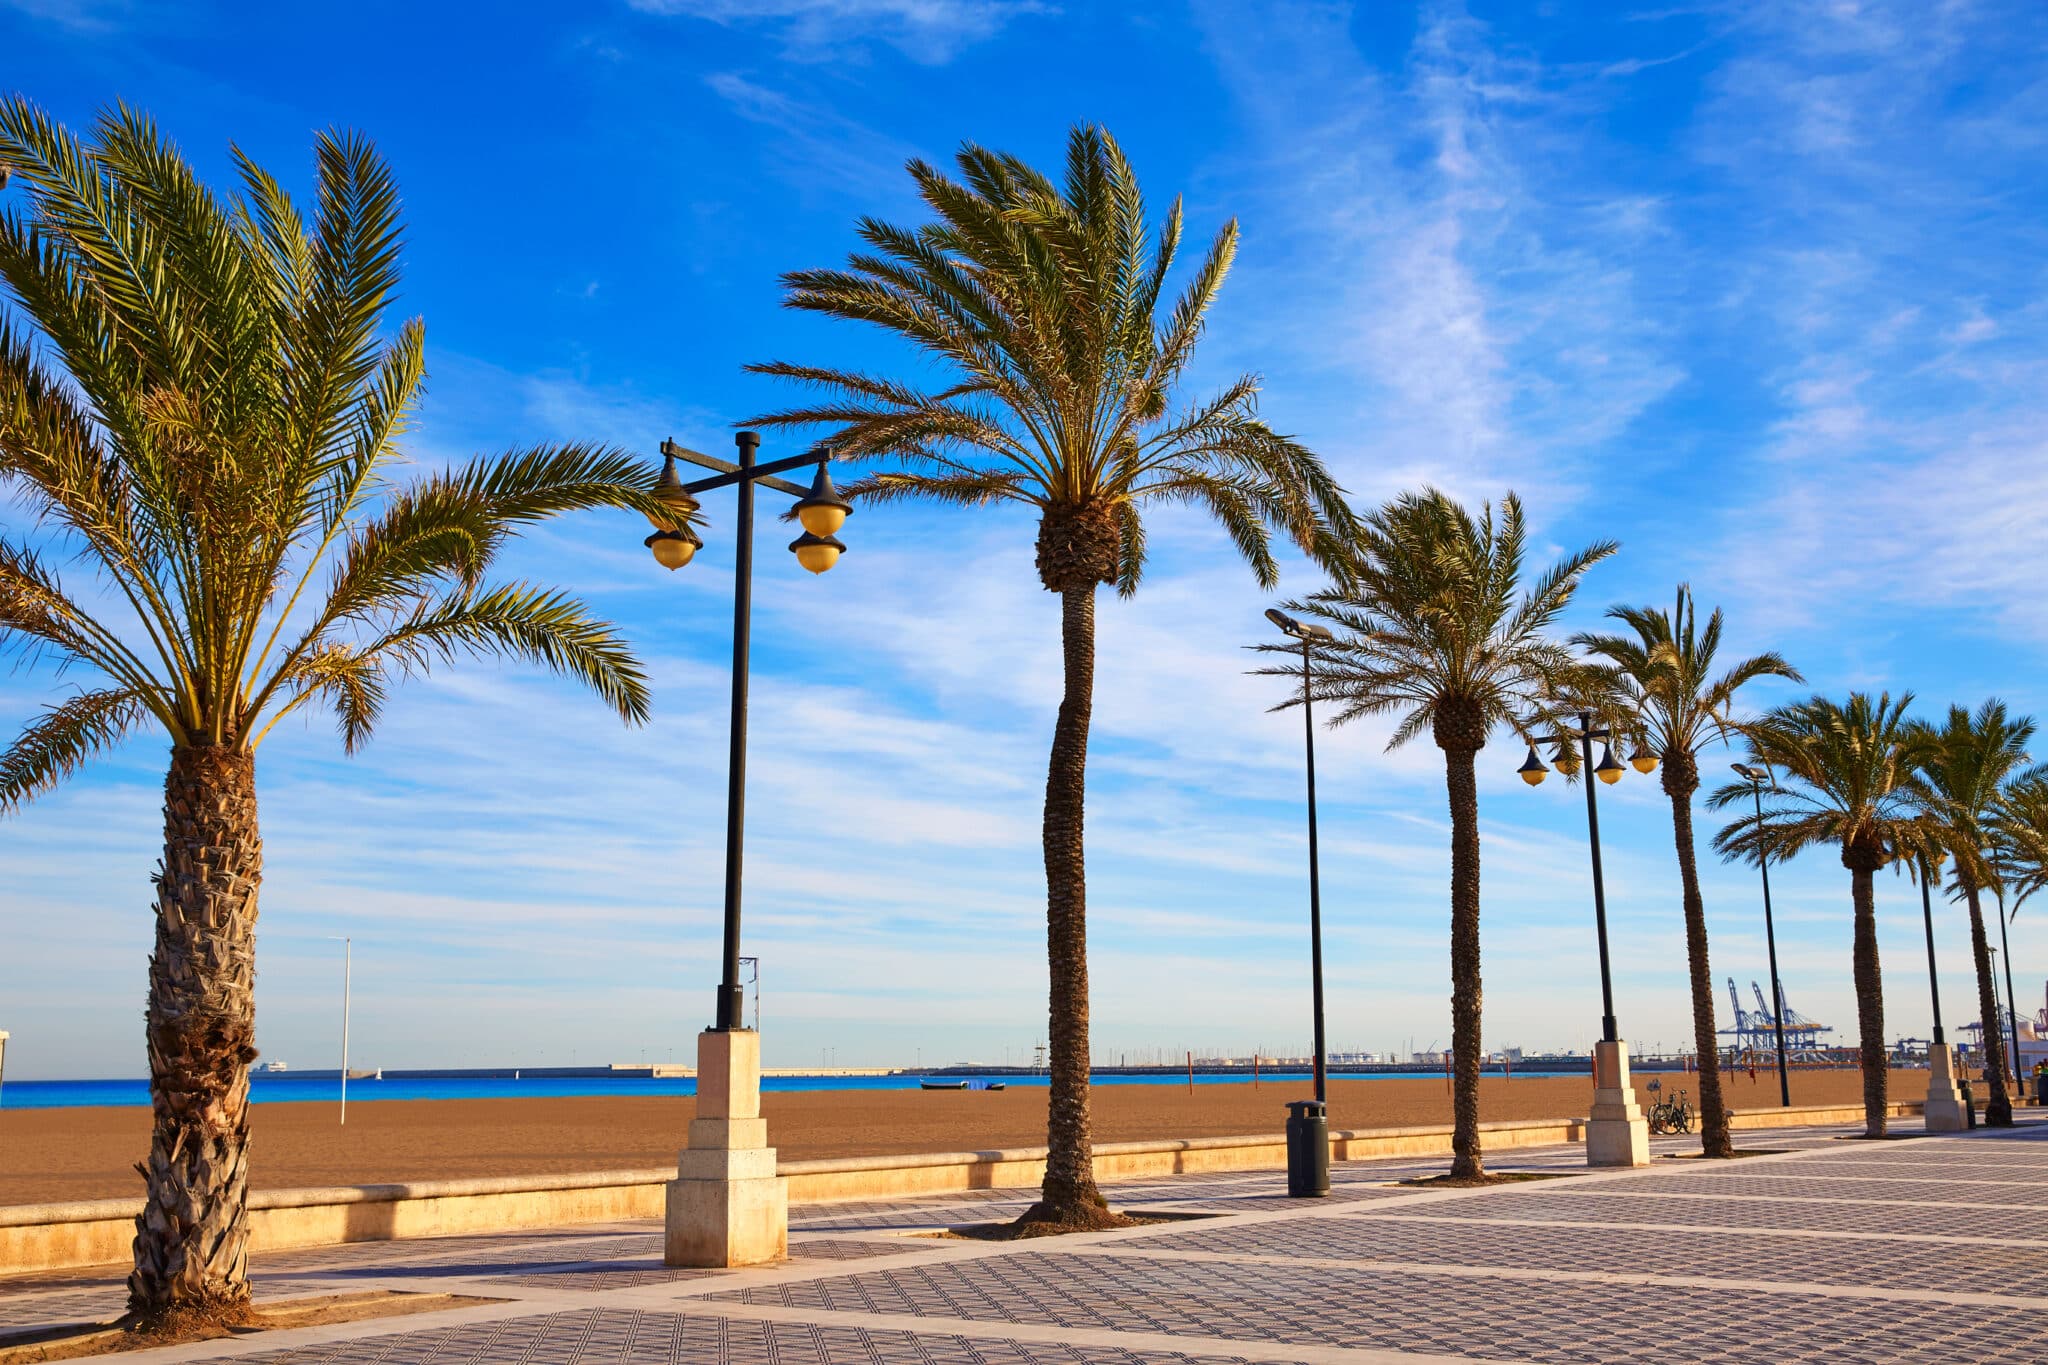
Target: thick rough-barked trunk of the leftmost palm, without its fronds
(191, 1239)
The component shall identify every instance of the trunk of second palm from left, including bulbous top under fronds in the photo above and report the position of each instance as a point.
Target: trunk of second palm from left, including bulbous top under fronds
(1076, 552)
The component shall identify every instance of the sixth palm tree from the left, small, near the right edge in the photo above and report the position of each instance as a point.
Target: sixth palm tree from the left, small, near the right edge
(1967, 770)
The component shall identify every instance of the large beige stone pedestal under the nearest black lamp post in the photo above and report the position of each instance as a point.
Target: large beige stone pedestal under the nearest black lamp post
(726, 1204)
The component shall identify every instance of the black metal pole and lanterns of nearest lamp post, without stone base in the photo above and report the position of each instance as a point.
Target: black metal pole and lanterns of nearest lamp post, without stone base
(822, 513)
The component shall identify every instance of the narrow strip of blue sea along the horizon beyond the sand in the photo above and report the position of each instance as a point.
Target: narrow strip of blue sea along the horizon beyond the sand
(269, 1088)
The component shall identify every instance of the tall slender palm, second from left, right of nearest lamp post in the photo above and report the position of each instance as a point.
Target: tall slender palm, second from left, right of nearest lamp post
(1041, 306)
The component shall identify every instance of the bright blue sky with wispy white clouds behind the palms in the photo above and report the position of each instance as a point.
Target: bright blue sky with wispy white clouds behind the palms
(1758, 294)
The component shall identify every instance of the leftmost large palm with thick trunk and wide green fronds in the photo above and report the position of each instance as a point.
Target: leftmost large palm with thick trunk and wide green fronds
(198, 402)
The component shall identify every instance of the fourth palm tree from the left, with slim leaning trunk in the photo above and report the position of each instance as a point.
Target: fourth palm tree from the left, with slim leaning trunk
(1668, 672)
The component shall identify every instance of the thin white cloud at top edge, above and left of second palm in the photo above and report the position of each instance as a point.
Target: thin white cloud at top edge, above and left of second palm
(931, 32)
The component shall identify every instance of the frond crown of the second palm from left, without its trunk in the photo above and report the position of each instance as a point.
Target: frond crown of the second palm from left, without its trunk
(1041, 304)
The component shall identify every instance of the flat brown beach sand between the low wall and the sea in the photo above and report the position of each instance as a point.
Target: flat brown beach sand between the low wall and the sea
(52, 1155)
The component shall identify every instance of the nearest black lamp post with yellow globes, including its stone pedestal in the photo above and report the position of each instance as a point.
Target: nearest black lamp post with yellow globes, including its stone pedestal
(728, 1206)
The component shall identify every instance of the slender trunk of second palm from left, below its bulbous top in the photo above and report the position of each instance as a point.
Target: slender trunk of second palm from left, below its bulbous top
(1070, 1192)
